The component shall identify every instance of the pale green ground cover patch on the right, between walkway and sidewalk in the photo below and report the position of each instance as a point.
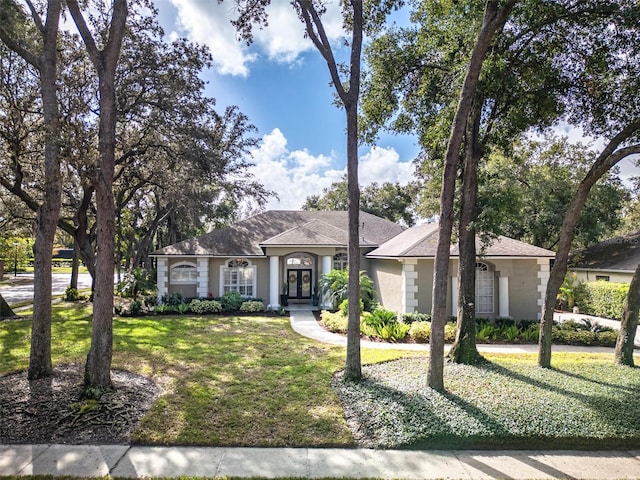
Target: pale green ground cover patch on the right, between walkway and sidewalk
(583, 402)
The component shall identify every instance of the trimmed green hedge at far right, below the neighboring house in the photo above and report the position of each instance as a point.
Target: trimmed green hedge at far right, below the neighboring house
(602, 299)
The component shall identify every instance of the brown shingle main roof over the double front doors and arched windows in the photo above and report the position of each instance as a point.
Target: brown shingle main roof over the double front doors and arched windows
(284, 228)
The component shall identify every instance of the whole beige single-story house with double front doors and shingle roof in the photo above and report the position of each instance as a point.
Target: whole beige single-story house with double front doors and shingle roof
(286, 252)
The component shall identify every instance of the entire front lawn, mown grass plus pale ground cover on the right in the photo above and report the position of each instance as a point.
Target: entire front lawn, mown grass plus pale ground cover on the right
(252, 381)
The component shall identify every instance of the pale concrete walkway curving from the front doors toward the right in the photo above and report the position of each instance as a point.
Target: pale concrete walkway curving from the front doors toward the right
(304, 323)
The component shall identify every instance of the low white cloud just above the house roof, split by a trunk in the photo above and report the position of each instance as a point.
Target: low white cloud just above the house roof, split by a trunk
(295, 175)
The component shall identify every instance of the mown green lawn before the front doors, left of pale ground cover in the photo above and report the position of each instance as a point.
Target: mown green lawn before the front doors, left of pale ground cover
(228, 380)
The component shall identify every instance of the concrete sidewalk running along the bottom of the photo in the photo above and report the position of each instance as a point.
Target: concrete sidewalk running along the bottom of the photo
(136, 462)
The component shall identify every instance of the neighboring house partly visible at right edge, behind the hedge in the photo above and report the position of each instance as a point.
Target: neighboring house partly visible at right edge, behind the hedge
(614, 260)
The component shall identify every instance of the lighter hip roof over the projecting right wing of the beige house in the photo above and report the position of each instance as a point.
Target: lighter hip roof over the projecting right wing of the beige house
(422, 242)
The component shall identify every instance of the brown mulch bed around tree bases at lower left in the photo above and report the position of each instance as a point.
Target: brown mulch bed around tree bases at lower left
(50, 410)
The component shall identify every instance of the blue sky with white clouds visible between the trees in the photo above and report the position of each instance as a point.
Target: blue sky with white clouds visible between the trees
(282, 84)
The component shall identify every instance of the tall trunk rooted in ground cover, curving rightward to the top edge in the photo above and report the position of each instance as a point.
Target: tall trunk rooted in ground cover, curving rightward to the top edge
(494, 19)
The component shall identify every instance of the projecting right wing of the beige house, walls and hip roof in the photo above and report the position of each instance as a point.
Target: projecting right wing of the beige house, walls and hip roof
(511, 277)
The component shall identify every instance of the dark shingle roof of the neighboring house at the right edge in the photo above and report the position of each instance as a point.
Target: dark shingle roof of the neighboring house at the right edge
(620, 253)
